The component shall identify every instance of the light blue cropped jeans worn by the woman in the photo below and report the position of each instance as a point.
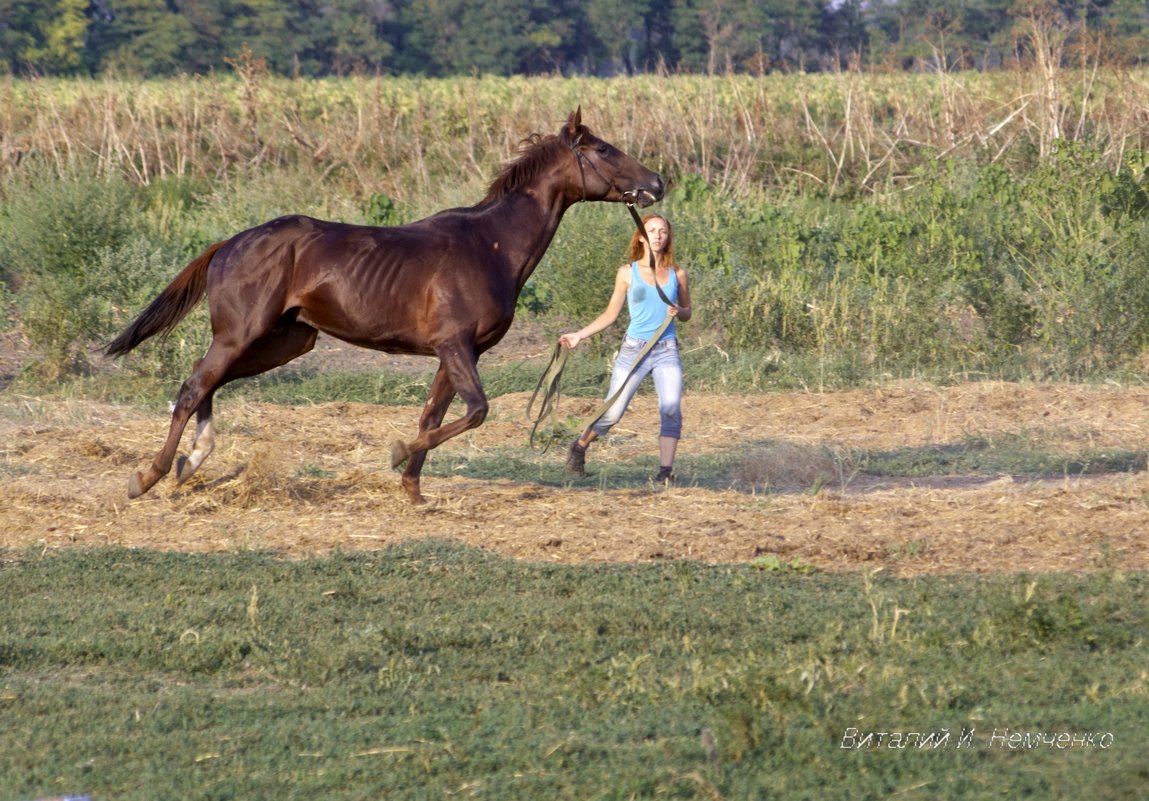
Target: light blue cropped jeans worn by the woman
(667, 368)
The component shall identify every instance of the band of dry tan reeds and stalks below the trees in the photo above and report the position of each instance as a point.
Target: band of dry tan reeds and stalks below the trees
(403, 136)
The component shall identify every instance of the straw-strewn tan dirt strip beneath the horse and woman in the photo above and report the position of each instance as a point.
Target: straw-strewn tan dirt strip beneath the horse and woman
(772, 479)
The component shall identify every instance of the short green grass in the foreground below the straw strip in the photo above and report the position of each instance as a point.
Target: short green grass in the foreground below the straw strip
(431, 672)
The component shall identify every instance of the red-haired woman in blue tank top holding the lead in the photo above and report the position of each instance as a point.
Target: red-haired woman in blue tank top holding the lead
(635, 286)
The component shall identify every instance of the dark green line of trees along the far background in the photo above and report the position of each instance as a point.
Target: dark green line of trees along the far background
(438, 38)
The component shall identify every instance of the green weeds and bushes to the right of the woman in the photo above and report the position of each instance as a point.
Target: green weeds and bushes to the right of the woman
(965, 272)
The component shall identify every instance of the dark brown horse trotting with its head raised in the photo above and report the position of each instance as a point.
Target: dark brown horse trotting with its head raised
(445, 287)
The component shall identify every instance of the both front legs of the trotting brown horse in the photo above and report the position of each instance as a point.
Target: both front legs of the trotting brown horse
(459, 372)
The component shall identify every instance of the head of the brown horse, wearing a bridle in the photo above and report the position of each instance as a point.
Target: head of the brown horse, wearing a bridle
(605, 172)
